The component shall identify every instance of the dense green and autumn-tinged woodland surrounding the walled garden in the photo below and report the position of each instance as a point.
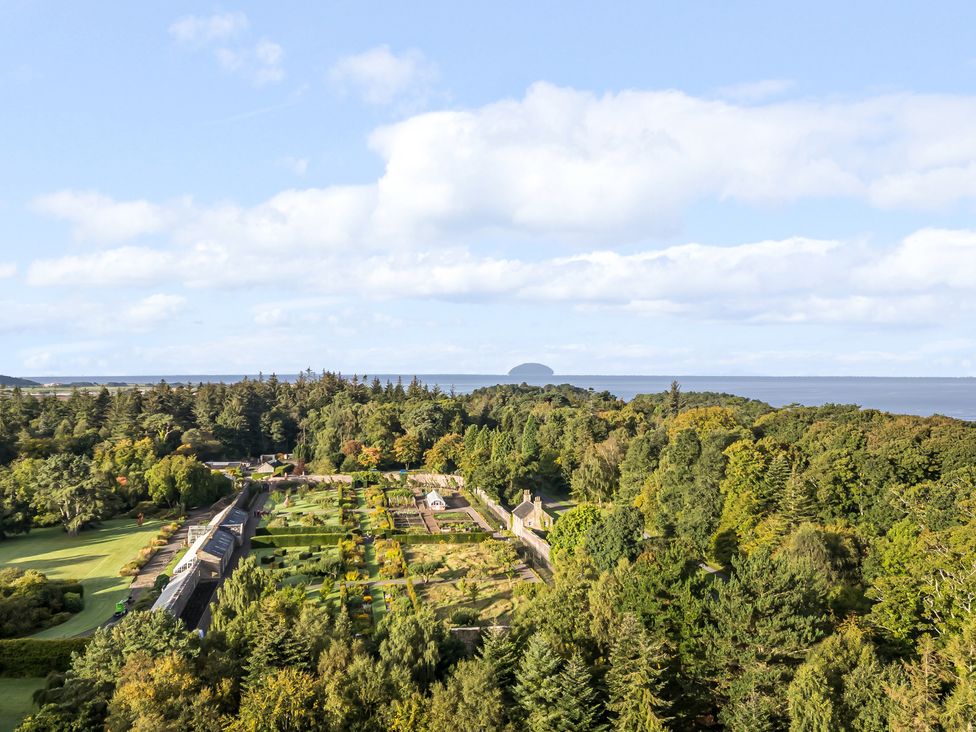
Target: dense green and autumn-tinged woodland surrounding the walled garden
(729, 565)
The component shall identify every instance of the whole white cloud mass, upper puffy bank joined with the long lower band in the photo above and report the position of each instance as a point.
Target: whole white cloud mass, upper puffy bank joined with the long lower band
(586, 175)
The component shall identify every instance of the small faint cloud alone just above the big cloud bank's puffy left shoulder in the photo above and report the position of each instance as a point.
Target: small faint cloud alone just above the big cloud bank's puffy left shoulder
(381, 77)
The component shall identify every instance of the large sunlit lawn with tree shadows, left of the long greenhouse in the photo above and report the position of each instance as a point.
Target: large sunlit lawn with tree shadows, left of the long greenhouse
(94, 557)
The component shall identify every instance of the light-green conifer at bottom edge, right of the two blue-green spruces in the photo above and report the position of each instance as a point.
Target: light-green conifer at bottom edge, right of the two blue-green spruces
(634, 679)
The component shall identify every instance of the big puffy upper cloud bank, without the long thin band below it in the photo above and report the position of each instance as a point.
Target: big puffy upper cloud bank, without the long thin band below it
(590, 170)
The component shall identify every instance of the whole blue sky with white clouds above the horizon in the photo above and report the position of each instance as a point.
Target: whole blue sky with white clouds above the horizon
(617, 188)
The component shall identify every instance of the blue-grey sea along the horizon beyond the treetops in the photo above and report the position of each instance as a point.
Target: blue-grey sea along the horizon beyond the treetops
(952, 397)
